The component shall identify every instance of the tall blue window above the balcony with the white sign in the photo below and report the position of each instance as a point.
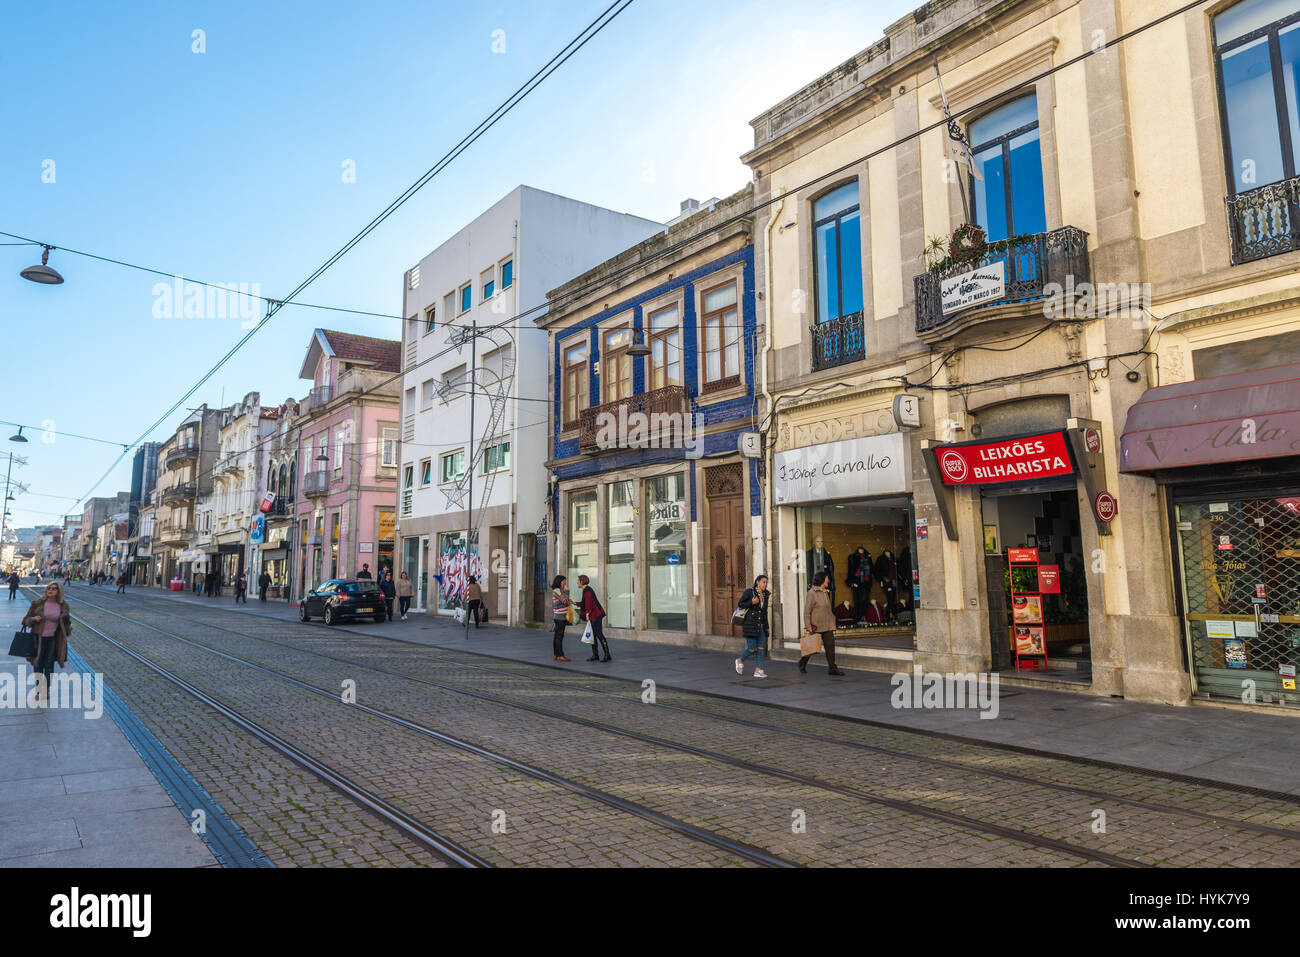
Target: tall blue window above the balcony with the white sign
(1006, 145)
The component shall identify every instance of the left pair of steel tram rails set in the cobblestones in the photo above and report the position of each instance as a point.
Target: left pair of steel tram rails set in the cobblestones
(369, 799)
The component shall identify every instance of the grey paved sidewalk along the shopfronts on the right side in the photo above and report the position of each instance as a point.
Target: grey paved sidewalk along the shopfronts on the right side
(1229, 746)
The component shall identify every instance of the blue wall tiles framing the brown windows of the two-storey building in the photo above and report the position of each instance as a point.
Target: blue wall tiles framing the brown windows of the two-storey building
(738, 412)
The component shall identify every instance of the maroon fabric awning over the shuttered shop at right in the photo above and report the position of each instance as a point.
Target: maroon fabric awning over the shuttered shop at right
(1245, 415)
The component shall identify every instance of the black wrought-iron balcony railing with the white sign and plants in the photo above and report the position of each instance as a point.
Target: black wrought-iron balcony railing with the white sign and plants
(1029, 265)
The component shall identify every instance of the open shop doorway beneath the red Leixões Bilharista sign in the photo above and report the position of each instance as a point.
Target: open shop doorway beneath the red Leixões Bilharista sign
(1048, 522)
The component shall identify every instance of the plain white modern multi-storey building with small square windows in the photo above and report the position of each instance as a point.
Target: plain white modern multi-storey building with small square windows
(495, 270)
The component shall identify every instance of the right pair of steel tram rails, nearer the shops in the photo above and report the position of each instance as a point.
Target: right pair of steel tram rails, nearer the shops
(903, 806)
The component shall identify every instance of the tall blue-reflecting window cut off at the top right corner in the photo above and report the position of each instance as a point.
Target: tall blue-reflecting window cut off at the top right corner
(1259, 60)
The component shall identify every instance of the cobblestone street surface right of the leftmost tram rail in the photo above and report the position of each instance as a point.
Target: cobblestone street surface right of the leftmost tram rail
(721, 765)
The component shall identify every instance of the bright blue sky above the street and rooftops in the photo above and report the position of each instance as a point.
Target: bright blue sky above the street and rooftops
(227, 167)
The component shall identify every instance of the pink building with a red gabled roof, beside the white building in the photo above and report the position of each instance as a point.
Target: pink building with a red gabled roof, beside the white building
(348, 458)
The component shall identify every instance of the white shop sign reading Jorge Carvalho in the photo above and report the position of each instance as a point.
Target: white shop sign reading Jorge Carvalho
(855, 469)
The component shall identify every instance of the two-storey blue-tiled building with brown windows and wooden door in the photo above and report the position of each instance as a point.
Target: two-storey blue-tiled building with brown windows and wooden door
(653, 499)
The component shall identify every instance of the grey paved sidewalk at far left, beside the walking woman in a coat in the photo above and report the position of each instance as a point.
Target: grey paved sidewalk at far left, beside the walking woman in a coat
(75, 793)
